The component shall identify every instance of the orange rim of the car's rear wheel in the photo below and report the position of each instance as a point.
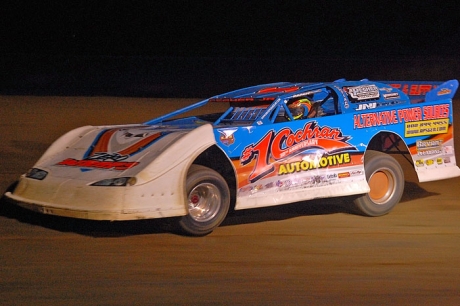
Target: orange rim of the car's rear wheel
(382, 185)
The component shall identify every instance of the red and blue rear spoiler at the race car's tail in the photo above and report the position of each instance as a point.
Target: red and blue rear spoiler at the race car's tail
(426, 90)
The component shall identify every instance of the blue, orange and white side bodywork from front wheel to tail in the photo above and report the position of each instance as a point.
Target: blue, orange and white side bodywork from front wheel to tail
(324, 157)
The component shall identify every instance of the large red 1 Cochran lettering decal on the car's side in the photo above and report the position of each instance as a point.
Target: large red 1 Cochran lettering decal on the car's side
(279, 146)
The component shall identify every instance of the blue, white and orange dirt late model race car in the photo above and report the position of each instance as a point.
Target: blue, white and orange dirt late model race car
(277, 143)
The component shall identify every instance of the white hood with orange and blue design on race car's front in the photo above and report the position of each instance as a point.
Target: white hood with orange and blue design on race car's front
(96, 153)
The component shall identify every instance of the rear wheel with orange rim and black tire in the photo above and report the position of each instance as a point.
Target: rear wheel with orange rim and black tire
(386, 180)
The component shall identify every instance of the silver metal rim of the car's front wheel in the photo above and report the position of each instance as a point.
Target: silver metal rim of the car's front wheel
(204, 202)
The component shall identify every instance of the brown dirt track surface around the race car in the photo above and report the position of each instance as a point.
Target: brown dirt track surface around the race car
(312, 253)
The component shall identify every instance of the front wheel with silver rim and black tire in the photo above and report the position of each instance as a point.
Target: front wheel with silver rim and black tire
(207, 202)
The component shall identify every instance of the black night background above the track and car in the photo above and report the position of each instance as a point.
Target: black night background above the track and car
(201, 48)
